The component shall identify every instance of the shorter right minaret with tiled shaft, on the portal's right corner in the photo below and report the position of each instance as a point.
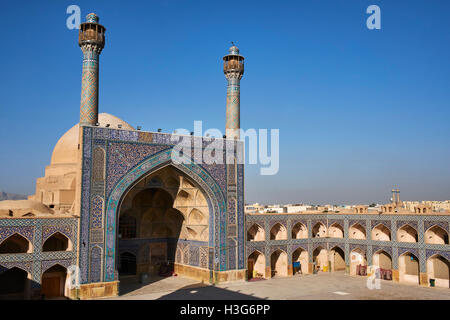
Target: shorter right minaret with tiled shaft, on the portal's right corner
(233, 68)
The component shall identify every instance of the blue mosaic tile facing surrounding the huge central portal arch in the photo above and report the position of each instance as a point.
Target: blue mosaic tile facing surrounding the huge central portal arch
(131, 155)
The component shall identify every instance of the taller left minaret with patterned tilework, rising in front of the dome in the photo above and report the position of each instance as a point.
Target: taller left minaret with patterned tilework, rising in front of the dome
(91, 40)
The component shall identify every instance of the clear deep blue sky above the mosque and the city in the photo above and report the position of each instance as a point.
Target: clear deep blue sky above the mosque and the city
(359, 110)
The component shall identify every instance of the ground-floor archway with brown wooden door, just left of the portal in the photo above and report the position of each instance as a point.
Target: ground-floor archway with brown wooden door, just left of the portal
(53, 284)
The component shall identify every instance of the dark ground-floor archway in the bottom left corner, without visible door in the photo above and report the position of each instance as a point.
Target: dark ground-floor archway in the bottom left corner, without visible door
(14, 284)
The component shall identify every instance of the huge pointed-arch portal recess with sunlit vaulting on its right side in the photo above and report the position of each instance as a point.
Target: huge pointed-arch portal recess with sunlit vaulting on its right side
(157, 212)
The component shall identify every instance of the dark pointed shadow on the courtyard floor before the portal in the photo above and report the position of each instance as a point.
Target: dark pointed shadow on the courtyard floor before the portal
(206, 292)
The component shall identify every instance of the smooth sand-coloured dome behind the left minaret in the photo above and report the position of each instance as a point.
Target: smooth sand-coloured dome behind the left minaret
(66, 150)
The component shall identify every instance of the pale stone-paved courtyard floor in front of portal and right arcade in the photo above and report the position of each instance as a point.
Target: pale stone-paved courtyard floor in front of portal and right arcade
(319, 286)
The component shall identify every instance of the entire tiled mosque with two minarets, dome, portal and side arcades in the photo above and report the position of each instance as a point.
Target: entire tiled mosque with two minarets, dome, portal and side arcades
(113, 204)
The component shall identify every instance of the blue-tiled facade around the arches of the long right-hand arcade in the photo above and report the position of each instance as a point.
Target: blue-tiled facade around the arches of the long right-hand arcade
(420, 249)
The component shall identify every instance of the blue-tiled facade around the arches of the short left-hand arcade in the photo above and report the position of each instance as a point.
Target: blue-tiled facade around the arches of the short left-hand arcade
(37, 231)
